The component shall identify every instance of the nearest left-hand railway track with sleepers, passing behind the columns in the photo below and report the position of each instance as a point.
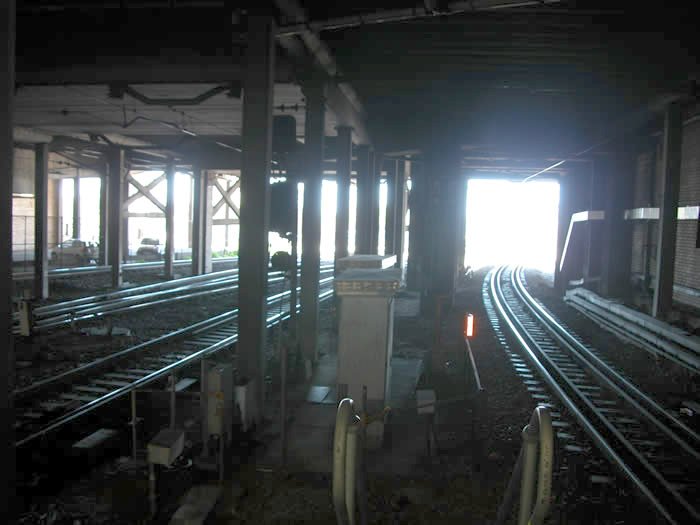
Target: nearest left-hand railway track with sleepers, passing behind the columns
(48, 405)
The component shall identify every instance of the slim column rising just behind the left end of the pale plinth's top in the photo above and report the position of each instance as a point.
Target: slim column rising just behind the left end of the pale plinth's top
(343, 170)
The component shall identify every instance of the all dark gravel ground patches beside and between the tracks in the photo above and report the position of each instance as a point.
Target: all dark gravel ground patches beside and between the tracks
(462, 483)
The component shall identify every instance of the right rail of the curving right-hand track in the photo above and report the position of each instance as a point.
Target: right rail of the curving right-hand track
(608, 376)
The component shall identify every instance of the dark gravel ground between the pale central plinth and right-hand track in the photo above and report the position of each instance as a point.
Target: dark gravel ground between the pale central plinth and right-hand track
(463, 482)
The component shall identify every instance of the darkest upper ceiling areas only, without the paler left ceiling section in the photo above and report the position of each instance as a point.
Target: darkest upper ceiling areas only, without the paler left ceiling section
(542, 79)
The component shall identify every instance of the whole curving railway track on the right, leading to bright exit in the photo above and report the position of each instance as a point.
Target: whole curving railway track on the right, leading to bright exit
(649, 446)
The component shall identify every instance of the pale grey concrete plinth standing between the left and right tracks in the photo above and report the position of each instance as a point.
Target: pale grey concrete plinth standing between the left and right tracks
(365, 339)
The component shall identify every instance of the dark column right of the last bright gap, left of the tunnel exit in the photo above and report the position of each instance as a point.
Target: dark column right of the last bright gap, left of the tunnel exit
(417, 199)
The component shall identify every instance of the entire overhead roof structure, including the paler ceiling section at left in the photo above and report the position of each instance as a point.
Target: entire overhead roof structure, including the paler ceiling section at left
(525, 77)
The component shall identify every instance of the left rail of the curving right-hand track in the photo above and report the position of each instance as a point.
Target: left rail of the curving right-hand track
(607, 449)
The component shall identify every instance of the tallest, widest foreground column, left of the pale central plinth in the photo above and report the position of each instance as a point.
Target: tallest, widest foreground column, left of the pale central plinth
(258, 84)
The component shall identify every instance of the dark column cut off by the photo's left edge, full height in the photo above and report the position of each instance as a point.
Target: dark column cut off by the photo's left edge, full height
(7, 365)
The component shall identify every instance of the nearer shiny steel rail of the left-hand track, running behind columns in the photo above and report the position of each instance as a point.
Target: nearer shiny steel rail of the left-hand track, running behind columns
(170, 368)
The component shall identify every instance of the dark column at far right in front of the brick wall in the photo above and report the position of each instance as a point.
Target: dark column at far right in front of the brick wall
(668, 214)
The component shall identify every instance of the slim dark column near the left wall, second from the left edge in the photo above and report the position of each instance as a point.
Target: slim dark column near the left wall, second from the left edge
(41, 221)
